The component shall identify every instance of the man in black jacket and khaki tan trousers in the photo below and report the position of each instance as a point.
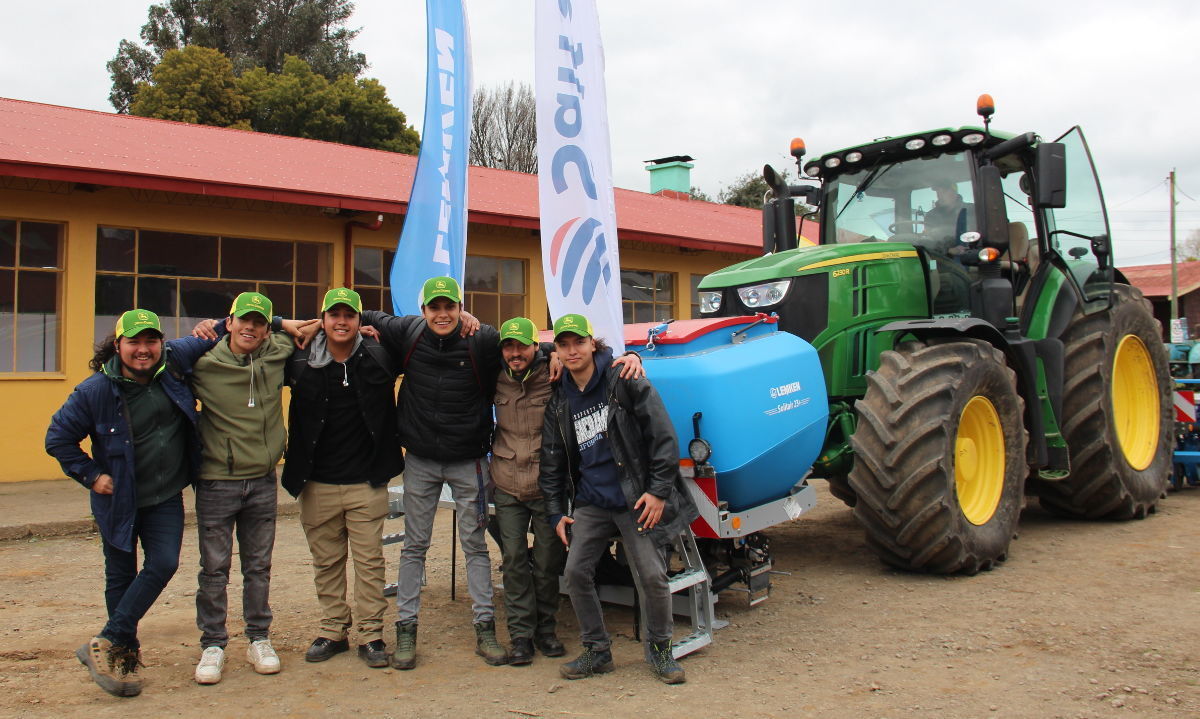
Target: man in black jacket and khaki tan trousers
(343, 452)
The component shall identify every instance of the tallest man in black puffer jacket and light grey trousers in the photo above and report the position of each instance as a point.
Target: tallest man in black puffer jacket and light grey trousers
(446, 427)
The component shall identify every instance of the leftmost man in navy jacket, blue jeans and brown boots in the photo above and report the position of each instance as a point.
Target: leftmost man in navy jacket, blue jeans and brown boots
(141, 416)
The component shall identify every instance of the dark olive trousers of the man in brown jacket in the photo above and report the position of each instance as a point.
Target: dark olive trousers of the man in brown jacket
(531, 579)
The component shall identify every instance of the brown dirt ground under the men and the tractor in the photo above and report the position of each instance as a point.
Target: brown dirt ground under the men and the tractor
(1085, 620)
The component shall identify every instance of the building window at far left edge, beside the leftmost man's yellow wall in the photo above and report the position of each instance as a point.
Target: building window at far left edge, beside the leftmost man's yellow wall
(31, 296)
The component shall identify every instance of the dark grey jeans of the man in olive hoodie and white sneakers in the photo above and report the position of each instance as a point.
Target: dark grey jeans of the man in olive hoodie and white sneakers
(223, 507)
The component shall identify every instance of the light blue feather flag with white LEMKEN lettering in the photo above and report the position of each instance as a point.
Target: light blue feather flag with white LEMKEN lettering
(434, 241)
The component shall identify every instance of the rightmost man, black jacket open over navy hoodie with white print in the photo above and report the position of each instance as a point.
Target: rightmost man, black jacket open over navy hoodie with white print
(609, 450)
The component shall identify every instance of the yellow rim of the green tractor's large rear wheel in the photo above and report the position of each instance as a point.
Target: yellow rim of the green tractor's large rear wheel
(1136, 403)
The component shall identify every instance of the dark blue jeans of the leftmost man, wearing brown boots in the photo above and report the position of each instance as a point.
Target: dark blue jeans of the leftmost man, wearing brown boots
(130, 594)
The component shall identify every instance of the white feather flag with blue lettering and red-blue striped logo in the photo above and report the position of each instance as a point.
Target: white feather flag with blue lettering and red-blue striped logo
(579, 219)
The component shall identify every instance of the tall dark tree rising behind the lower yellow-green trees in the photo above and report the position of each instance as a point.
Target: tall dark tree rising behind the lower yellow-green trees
(250, 33)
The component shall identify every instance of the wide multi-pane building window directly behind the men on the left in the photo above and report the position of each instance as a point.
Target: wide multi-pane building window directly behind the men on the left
(187, 278)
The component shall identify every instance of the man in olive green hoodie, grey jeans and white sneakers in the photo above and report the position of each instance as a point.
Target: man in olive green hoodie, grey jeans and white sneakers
(242, 433)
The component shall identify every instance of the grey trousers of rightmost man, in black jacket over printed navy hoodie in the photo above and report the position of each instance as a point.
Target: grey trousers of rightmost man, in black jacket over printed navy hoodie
(591, 535)
